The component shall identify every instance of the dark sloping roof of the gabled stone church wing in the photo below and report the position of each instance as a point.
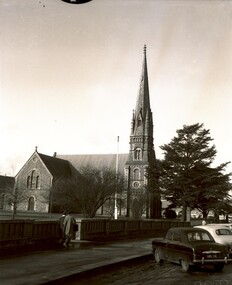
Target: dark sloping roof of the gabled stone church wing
(57, 167)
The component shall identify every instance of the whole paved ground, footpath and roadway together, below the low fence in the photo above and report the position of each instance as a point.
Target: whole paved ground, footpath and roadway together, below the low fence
(112, 260)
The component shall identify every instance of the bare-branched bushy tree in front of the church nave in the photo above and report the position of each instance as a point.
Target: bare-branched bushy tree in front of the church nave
(89, 191)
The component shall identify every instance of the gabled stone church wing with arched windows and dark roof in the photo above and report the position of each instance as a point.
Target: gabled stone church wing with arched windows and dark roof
(35, 180)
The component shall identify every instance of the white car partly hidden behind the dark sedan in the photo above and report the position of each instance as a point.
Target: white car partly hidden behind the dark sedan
(220, 233)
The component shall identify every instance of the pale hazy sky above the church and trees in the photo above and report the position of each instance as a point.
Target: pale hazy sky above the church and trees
(69, 74)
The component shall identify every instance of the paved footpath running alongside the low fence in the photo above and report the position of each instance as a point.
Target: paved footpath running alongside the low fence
(50, 266)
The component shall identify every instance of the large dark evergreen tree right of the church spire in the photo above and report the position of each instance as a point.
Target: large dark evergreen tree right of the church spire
(186, 175)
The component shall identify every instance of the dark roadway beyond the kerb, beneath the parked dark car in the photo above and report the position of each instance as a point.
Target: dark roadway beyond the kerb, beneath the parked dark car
(145, 271)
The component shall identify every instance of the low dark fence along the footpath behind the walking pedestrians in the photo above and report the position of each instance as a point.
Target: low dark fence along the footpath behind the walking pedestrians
(24, 232)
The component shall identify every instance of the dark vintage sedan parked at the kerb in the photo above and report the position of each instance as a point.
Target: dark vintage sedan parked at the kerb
(188, 247)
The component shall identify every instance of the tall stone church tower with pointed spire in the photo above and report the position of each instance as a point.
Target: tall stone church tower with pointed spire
(141, 153)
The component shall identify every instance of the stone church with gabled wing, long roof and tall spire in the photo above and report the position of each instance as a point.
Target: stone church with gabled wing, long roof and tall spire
(40, 172)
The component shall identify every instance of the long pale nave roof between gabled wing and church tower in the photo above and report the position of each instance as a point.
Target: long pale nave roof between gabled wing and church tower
(97, 160)
